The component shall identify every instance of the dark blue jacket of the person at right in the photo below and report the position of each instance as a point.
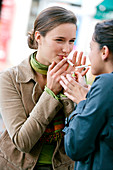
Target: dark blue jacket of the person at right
(89, 132)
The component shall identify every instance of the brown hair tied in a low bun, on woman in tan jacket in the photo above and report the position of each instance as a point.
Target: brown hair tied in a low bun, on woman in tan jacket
(47, 20)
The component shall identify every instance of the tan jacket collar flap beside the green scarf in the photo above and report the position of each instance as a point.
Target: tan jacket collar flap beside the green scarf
(24, 72)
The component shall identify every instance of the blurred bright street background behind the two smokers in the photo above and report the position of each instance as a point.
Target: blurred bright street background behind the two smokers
(17, 18)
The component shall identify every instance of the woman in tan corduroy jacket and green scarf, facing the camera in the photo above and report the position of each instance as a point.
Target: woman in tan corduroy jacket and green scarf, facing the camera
(33, 107)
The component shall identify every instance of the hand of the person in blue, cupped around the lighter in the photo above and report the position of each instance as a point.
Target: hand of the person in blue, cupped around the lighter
(73, 89)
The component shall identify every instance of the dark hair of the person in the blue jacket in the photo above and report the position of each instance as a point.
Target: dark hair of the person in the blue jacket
(103, 34)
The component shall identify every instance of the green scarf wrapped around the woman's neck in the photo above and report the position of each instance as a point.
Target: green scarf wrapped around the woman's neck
(38, 67)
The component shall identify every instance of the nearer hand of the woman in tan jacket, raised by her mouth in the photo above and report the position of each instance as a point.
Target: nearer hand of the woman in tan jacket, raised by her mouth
(54, 74)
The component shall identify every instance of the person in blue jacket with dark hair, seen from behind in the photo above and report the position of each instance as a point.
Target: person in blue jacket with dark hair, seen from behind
(89, 130)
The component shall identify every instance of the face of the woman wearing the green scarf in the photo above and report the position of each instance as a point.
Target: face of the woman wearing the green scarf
(57, 43)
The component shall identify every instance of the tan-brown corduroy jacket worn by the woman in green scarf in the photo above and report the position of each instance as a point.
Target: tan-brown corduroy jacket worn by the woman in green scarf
(26, 111)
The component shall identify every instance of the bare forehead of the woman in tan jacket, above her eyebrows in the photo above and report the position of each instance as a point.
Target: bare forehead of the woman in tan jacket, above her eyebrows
(62, 30)
